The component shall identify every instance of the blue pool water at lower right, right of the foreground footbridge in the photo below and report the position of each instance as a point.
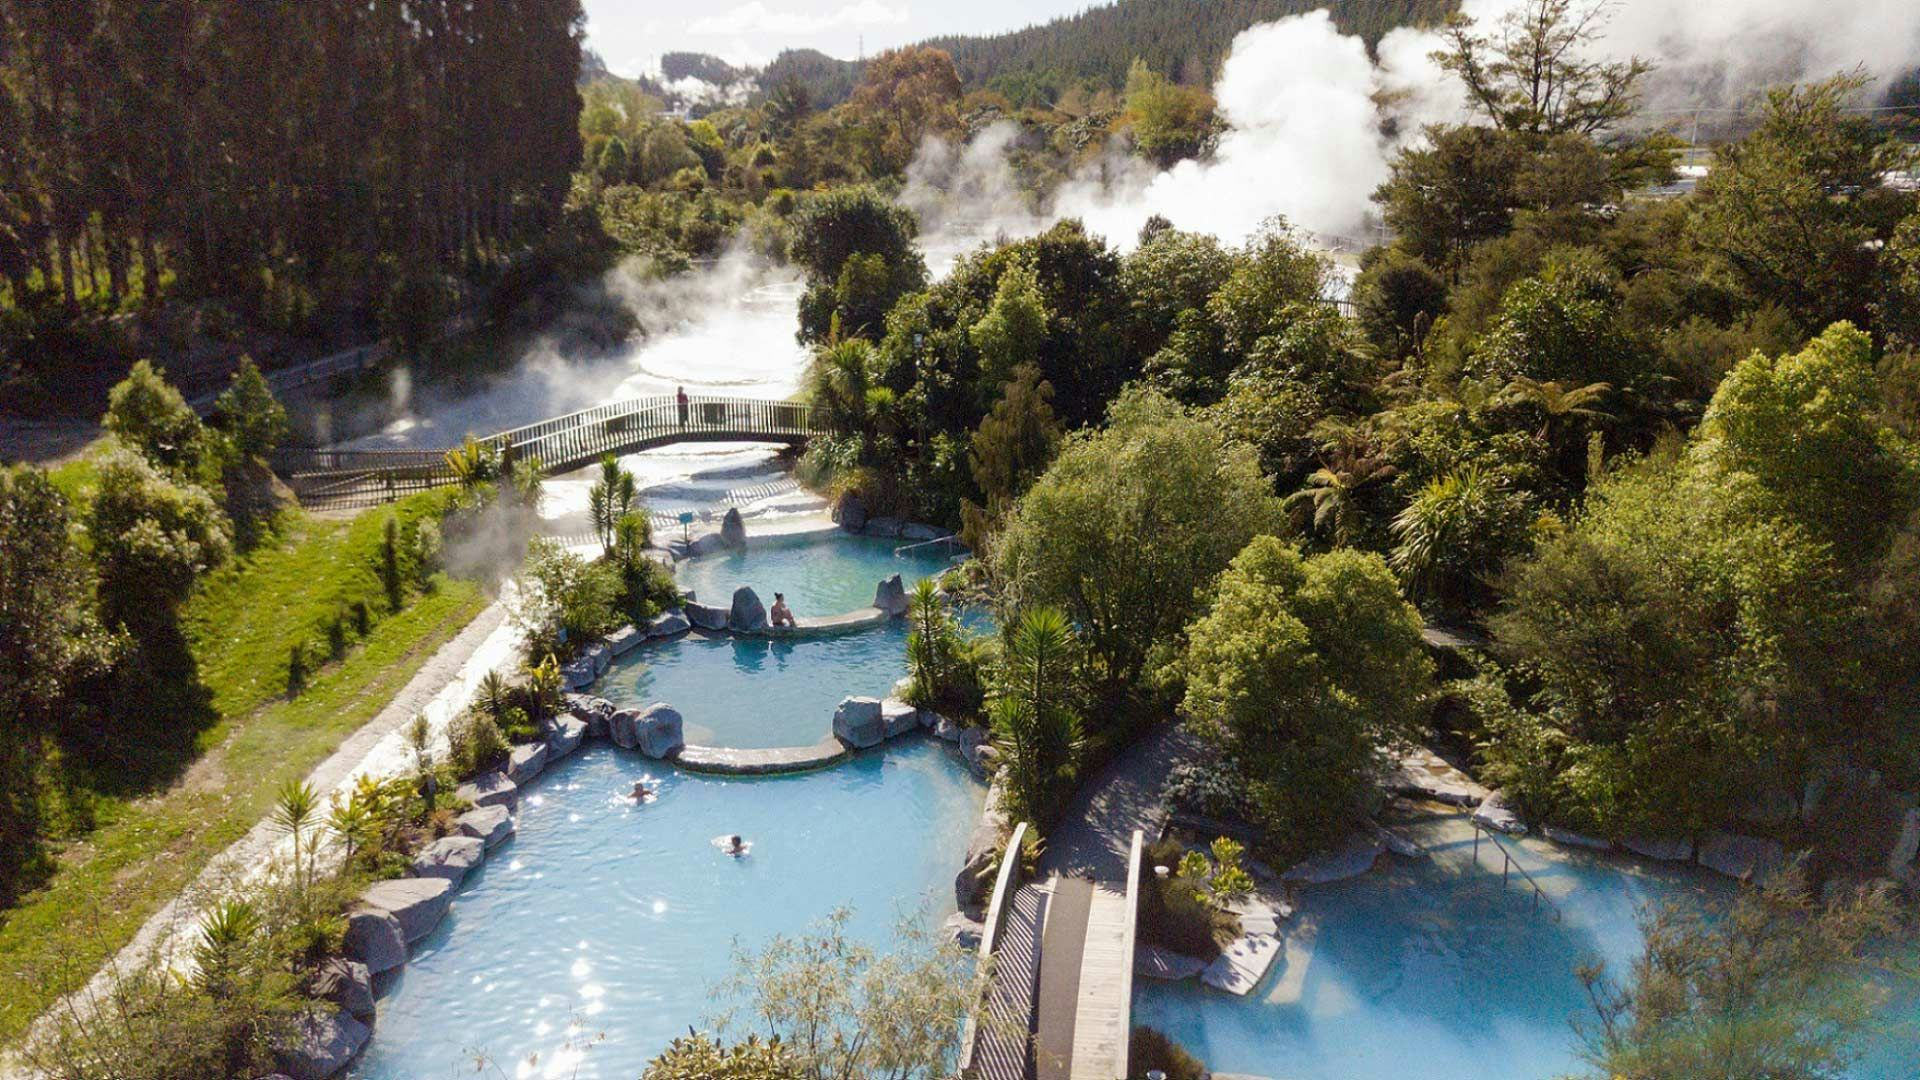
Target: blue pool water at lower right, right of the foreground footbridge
(1437, 970)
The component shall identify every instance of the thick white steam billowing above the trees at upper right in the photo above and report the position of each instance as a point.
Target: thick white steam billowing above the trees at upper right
(1314, 120)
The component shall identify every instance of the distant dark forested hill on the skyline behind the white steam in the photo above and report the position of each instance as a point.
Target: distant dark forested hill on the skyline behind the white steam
(1095, 49)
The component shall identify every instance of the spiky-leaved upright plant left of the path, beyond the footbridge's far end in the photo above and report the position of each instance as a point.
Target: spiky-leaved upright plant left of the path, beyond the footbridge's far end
(1034, 720)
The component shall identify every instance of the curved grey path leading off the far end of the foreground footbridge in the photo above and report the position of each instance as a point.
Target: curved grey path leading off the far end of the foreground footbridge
(1095, 835)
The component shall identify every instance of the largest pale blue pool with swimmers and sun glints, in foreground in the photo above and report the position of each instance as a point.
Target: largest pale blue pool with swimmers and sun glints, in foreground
(606, 923)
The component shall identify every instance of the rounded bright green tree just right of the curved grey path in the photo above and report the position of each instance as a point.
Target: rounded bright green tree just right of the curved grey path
(1303, 670)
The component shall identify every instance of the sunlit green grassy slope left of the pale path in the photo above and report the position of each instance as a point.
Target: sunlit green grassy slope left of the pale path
(243, 626)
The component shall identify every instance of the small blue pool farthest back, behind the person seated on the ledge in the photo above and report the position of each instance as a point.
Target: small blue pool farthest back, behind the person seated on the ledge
(819, 579)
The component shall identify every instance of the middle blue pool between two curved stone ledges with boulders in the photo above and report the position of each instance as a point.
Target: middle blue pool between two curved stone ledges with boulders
(752, 693)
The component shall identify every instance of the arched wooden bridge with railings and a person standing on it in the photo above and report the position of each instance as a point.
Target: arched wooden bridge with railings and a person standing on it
(343, 479)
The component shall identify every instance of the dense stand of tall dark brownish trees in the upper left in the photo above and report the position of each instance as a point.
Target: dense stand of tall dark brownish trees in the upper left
(318, 170)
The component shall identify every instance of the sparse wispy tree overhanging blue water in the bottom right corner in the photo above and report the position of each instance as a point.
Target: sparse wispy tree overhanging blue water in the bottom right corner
(1767, 985)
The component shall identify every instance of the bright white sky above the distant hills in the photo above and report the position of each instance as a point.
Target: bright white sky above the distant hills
(633, 34)
